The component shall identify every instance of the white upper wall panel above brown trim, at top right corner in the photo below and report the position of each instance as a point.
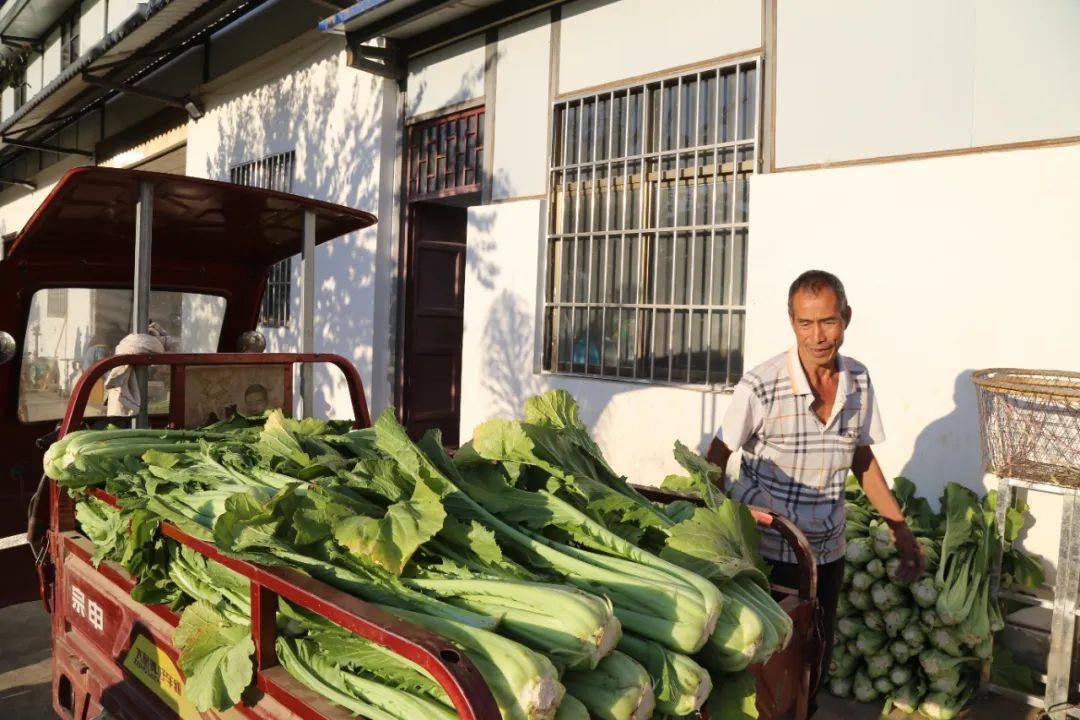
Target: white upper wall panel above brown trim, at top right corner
(861, 80)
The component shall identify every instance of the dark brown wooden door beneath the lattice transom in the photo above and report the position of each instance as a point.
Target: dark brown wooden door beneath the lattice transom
(434, 325)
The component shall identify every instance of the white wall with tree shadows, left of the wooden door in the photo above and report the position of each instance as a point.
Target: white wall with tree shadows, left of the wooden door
(252, 114)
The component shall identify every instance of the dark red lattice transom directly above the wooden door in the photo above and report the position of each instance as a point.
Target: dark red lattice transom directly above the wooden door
(445, 155)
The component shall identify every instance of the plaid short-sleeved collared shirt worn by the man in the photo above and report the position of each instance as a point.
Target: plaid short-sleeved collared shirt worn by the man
(792, 463)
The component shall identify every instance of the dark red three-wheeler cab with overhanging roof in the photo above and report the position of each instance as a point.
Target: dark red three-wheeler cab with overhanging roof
(70, 278)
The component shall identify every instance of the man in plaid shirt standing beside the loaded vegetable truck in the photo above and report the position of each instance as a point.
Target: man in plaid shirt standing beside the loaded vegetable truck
(804, 420)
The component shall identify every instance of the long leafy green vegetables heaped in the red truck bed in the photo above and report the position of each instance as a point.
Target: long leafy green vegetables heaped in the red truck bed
(574, 595)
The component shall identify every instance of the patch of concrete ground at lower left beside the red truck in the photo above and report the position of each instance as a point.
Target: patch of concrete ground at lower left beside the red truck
(25, 669)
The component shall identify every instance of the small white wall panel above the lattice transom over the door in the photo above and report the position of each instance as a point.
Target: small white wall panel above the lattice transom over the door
(450, 76)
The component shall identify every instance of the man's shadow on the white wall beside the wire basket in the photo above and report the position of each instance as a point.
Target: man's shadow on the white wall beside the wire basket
(951, 442)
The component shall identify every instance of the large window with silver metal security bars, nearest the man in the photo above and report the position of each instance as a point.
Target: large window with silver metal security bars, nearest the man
(649, 225)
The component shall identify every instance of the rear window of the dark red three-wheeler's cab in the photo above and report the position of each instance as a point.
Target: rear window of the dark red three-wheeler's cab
(71, 329)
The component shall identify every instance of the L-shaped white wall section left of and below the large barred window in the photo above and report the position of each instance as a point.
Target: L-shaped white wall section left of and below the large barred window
(636, 425)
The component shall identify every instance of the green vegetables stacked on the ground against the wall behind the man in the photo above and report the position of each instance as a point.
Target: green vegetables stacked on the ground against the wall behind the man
(922, 647)
